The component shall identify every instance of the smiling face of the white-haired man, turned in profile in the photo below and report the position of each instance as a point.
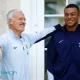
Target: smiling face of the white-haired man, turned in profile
(17, 22)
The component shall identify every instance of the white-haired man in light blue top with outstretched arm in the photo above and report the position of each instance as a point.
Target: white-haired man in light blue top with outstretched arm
(15, 47)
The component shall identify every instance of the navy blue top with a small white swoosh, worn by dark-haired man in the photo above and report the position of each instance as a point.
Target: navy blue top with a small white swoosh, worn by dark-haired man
(63, 55)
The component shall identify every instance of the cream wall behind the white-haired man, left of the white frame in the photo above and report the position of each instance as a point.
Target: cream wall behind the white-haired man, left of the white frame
(5, 6)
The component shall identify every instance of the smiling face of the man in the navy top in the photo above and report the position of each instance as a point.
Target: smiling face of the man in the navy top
(71, 16)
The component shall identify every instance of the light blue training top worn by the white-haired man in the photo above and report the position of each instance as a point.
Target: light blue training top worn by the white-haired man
(14, 64)
